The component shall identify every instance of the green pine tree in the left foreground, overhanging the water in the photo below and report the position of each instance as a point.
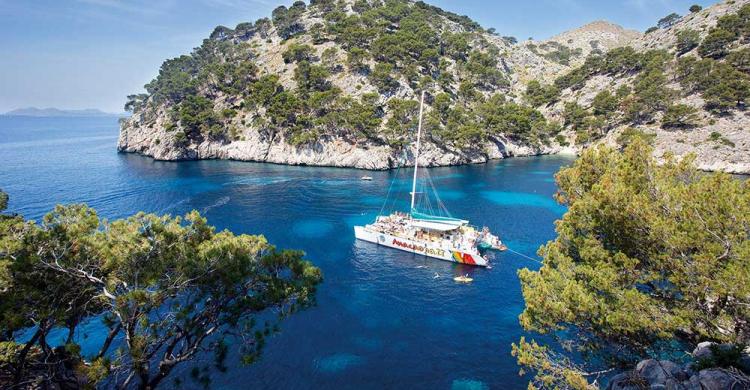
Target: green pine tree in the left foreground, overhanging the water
(167, 290)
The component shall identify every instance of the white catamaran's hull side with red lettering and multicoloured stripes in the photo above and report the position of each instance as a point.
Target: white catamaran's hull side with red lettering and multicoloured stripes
(429, 249)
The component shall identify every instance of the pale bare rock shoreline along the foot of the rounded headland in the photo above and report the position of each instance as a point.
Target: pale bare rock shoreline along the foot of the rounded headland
(328, 152)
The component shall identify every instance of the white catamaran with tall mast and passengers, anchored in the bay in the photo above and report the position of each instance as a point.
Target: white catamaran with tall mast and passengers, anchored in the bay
(438, 236)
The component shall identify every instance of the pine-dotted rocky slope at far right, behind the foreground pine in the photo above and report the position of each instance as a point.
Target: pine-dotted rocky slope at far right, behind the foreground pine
(695, 81)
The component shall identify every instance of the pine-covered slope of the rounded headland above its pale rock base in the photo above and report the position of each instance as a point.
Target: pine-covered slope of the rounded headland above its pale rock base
(354, 70)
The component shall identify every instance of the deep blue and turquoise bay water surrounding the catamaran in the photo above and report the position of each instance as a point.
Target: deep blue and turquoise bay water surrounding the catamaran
(382, 320)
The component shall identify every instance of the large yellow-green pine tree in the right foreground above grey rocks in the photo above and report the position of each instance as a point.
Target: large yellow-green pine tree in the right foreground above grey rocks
(646, 255)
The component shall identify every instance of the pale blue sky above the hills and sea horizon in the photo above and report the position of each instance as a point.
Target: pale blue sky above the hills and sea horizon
(75, 54)
